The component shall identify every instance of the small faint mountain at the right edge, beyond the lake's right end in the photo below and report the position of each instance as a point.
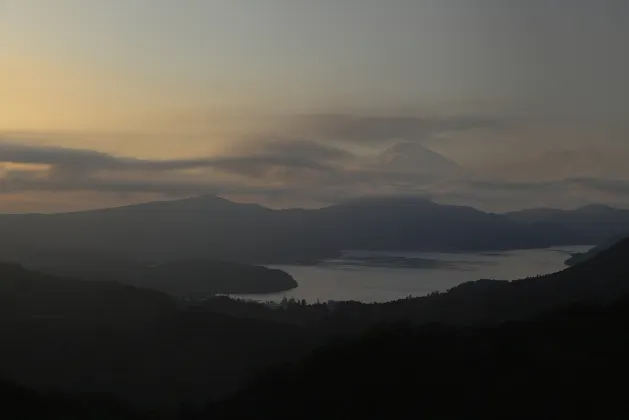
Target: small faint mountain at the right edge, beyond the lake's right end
(595, 223)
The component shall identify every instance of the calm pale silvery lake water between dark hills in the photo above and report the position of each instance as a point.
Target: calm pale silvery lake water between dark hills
(384, 276)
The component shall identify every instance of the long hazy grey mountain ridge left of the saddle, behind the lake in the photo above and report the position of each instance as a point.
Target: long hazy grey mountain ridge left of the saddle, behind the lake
(202, 228)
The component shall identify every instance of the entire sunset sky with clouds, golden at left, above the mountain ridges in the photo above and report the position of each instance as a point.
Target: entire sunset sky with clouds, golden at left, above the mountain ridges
(499, 104)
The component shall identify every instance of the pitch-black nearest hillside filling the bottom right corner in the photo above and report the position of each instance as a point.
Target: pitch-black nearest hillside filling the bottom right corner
(567, 364)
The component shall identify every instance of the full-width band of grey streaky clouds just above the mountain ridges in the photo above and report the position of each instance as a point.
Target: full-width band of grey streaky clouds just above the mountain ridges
(318, 160)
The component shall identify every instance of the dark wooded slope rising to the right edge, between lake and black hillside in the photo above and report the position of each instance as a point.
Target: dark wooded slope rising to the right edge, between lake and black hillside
(598, 280)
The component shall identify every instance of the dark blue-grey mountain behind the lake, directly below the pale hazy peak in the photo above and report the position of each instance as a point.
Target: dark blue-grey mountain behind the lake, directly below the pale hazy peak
(412, 223)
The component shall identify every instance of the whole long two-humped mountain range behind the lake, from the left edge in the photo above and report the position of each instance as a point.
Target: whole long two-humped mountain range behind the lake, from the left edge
(213, 228)
